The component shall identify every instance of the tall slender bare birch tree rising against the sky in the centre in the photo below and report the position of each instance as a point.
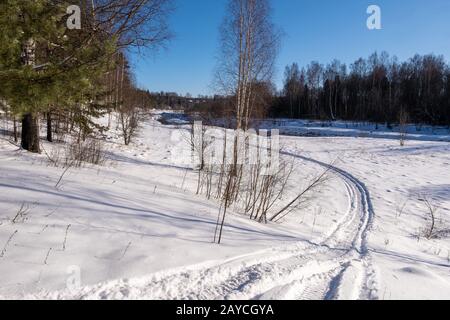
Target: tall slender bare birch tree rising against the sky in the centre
(249, 45)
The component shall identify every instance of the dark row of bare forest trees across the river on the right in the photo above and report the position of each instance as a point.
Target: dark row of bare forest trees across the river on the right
(380, 89)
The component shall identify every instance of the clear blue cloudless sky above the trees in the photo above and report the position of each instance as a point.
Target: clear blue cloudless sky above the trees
(319, 30)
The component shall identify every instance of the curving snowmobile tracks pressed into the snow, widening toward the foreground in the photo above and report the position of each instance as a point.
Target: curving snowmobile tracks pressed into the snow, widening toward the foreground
(338, 267)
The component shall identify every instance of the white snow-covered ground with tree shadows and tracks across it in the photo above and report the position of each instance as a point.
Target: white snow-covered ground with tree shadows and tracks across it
(134, 228)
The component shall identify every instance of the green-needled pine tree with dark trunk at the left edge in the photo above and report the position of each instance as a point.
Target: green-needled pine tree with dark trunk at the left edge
(43, 63)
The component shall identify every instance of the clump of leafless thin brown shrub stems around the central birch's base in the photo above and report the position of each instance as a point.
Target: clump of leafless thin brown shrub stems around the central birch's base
(250, 187)
